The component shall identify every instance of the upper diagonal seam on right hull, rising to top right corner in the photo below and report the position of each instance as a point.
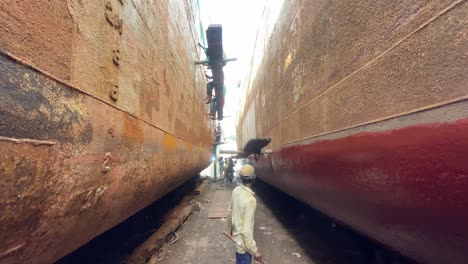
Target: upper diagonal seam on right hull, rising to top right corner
(432, 19)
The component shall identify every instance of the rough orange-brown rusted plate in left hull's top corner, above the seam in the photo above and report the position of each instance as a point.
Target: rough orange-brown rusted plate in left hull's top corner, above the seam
(26, 33)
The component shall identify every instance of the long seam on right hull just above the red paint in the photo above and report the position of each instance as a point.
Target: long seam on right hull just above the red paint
(414, 111)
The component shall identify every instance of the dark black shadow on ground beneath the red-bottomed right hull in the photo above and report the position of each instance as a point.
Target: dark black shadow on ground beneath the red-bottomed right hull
(322, 238)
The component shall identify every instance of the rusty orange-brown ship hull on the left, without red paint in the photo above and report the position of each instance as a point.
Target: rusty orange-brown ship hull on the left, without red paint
(101, 114)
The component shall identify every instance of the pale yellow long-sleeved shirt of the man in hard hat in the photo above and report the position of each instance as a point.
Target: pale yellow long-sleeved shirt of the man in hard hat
(241, 218)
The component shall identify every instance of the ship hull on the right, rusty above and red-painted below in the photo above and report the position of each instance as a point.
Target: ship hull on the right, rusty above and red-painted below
(366, 103)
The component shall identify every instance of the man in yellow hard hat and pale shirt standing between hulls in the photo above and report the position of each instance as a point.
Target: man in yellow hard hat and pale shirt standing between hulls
(241, 216)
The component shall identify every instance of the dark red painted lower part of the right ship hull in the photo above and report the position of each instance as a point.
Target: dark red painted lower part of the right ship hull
(404, 187)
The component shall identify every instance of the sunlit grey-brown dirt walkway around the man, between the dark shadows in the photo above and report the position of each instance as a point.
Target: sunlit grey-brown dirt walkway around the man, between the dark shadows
(201, 239)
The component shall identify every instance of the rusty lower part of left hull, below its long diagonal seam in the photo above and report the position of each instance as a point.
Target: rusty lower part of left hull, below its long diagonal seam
(51, 192)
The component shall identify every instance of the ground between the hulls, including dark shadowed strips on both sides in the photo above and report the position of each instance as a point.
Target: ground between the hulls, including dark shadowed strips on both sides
(286, 231)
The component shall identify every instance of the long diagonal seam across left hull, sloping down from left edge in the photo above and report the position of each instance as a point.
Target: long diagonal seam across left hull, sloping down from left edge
(21, 61)
